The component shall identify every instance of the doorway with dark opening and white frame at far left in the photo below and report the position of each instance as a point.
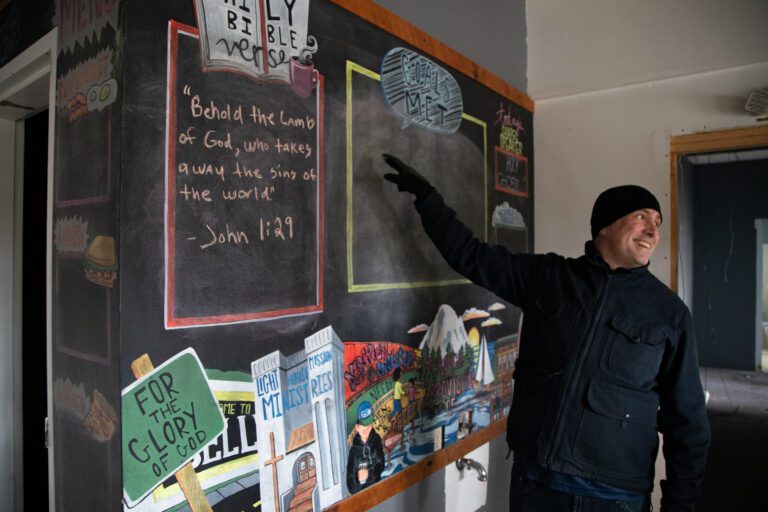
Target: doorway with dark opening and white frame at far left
(27, 84)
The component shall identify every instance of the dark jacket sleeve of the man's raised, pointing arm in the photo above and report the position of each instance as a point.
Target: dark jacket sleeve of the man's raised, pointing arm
(506, 274)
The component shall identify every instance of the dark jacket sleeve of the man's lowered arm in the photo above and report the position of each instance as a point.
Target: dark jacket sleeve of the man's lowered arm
(683, 422)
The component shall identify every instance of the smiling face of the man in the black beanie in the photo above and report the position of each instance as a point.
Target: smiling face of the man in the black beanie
(630, 240)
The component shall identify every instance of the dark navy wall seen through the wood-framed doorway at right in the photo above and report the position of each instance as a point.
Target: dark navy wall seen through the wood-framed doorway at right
(728, 196)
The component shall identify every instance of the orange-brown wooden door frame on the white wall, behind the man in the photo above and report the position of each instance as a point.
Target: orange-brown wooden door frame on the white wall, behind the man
(737, 139)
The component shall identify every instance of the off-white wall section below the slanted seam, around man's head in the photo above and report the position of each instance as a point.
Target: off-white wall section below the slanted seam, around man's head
(588, 142)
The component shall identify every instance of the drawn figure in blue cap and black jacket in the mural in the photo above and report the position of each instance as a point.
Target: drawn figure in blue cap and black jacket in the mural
(366, 455)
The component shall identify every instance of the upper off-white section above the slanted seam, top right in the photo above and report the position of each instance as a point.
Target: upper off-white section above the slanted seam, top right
(581, 46)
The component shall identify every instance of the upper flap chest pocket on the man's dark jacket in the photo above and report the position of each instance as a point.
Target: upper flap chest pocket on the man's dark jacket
(634, 349)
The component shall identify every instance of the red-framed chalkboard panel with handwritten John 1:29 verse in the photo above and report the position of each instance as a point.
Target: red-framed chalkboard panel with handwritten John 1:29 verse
(244, 174)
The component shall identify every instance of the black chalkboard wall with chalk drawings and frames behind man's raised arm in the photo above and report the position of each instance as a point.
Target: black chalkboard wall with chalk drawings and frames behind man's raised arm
(200, 207)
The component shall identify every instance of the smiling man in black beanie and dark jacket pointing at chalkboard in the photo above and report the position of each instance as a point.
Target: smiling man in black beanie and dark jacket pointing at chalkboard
(607, 359)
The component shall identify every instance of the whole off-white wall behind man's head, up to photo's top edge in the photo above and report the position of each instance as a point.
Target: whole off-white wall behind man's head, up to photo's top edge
(612, 81)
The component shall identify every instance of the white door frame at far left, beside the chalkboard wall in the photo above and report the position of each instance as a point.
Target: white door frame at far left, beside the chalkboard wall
(23, 73)
